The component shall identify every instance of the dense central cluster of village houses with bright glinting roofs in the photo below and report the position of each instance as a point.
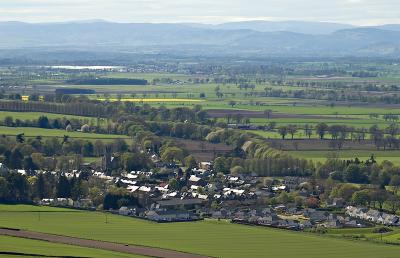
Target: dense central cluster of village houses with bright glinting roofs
(235, 194)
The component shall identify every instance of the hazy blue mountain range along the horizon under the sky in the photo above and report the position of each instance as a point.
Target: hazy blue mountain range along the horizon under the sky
(292, 38)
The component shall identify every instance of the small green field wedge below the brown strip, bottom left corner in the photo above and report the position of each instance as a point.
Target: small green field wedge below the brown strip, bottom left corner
(42, 248)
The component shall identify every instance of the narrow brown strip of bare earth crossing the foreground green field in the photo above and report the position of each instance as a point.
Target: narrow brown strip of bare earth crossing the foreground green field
(131, 249)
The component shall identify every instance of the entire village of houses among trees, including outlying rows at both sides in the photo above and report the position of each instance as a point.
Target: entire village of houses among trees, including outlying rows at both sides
(177, 196)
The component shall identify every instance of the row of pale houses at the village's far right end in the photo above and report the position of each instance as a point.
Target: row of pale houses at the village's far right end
(373, 216)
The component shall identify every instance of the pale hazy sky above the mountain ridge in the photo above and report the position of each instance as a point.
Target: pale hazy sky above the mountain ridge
(361, 12)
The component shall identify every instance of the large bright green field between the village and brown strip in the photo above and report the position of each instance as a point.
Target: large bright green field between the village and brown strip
(210, 237)
